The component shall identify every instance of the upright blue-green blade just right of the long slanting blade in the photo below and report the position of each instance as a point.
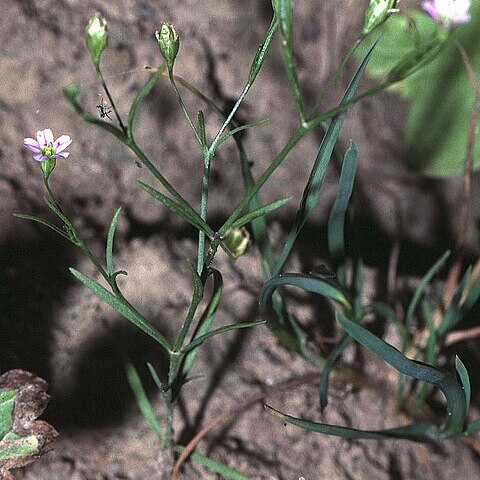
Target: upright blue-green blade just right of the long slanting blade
(336, 221)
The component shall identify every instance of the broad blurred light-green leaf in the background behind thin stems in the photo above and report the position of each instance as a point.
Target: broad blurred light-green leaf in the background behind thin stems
(437, 118)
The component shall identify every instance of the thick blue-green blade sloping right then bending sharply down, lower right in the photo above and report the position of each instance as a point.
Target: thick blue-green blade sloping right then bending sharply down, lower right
(455, 421)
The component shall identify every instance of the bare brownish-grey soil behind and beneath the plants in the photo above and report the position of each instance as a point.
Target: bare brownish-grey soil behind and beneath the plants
(54, 327)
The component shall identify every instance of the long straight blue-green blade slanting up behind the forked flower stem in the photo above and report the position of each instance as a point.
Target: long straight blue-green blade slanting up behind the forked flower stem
(314, 184)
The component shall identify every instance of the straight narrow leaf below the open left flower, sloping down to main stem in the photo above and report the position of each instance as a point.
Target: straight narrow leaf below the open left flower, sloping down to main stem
(121, 306)
